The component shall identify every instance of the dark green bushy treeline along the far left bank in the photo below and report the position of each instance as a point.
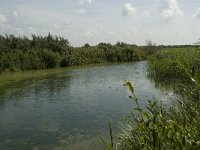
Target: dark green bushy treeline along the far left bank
(37, 52)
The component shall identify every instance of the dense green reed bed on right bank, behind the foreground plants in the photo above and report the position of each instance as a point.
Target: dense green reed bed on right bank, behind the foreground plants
(168, 63)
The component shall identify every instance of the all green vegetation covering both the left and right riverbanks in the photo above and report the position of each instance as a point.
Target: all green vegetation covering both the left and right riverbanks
(154, 127)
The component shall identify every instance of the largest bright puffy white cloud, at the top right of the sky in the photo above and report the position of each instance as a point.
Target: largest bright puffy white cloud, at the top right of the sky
(168, 8)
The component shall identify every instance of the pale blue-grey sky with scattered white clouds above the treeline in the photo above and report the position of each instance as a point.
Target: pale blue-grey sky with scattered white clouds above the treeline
(165, 22)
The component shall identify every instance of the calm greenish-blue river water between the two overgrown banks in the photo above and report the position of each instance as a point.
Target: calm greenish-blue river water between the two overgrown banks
(67, 108)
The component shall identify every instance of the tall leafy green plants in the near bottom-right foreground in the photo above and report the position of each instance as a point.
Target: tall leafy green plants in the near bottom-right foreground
(158, 127)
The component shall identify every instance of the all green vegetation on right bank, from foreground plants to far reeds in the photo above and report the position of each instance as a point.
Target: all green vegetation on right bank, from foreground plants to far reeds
(166, 127)
